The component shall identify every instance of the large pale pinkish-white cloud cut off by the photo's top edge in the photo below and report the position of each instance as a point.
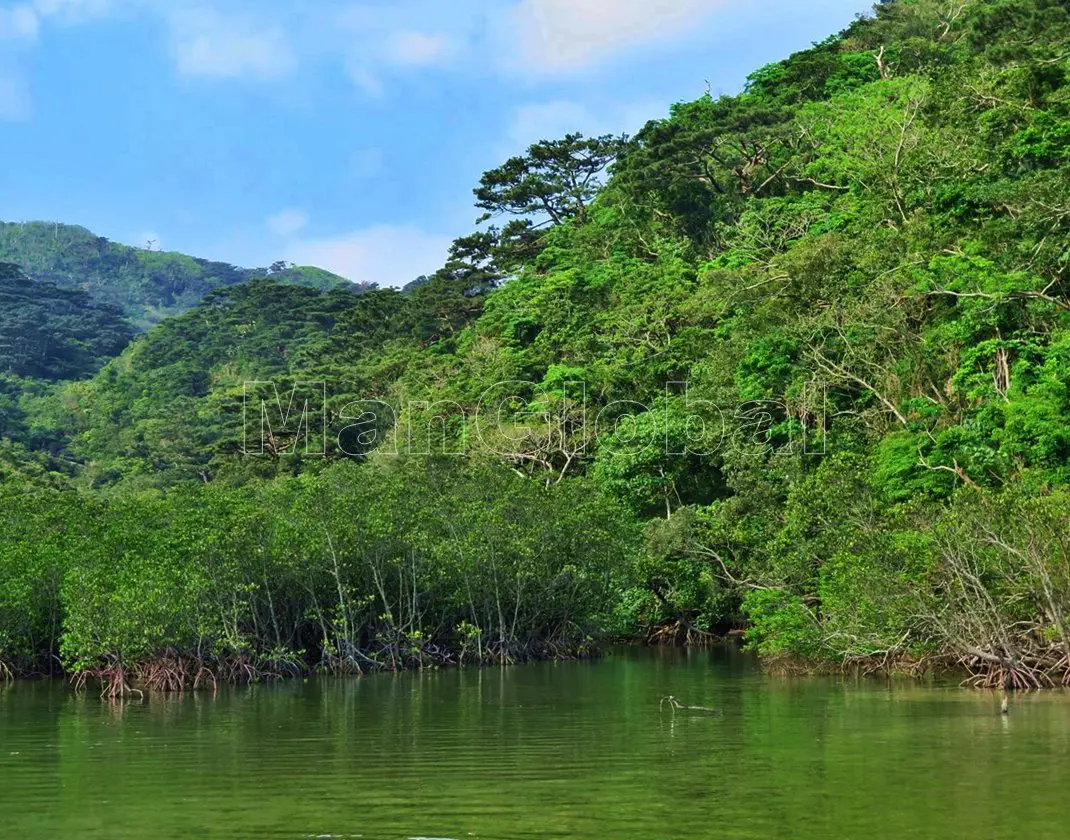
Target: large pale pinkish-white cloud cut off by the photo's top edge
(563, 36)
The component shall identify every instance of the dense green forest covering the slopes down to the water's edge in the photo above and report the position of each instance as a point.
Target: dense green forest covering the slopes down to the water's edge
(794, 362)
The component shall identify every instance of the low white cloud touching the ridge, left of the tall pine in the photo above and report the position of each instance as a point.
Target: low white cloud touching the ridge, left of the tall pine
(385, 254)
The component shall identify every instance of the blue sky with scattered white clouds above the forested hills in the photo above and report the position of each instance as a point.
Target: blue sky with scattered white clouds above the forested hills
(345, 134)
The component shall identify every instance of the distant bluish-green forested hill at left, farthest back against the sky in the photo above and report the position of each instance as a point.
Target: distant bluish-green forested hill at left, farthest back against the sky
(147, 285)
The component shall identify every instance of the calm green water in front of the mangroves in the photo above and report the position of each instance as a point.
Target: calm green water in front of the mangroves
(569, 751)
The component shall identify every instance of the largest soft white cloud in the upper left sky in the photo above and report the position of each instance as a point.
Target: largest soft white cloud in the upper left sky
(208, 44)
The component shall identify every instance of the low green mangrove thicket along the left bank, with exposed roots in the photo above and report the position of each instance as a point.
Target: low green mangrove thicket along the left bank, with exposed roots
(362, 568)
